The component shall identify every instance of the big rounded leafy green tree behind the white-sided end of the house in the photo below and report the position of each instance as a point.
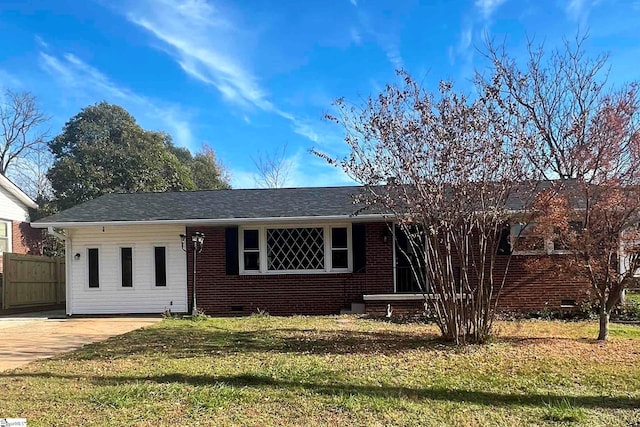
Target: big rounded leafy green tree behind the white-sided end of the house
(103, 150)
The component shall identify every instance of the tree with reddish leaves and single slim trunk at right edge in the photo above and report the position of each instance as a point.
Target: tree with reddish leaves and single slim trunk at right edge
(585, 135)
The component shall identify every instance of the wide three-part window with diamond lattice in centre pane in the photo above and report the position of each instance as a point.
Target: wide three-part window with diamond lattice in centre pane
(312, 249)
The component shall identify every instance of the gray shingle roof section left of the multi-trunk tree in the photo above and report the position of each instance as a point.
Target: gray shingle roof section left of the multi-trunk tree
(214, 204)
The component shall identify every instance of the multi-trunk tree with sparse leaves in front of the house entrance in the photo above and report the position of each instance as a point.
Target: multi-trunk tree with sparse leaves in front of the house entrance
(446, 168)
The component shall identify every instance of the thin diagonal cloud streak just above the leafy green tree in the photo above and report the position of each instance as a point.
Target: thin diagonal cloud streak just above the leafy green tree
(91, 85)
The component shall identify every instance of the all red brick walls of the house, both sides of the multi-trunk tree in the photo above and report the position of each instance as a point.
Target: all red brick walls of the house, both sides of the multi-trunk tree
(527, 288)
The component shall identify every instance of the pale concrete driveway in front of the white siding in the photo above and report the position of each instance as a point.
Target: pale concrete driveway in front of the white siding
(26, 338)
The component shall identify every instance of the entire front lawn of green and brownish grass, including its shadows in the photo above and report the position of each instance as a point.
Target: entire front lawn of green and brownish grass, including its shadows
(320, 371)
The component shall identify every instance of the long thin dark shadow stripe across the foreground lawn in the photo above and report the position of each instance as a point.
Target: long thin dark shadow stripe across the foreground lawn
(335, 389)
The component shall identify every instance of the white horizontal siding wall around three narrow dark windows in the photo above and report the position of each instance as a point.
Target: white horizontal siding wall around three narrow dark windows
(111, 297)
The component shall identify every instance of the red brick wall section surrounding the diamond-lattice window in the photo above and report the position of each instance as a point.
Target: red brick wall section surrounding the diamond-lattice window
(286, 294)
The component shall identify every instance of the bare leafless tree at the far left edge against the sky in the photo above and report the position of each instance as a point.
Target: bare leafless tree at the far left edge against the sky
(20, 133)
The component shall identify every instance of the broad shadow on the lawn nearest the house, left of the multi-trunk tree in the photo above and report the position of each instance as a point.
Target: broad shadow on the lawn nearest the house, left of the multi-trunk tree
(188, 340)
